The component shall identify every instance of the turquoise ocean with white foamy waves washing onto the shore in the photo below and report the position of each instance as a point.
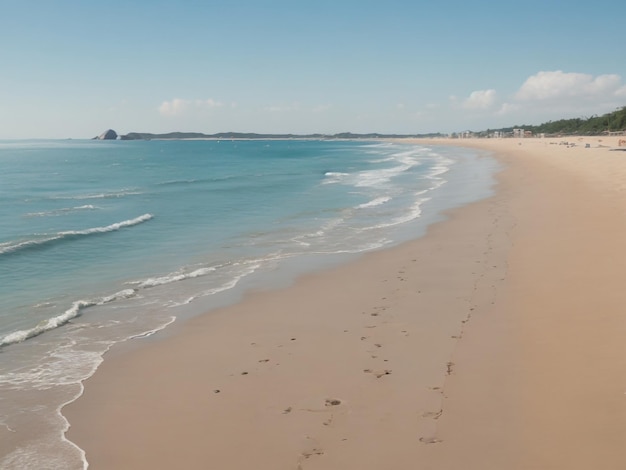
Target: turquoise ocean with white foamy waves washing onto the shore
(103, 242)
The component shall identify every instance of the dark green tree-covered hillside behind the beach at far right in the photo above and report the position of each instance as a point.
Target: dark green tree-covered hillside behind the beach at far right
(595, 125)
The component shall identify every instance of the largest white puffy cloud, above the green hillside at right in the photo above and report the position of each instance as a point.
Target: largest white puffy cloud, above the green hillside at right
(557, 85)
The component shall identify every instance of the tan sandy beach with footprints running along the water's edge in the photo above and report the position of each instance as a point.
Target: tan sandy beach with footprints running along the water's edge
(496, 341)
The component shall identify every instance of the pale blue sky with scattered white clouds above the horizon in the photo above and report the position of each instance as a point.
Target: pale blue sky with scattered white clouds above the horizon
(73, 69)
